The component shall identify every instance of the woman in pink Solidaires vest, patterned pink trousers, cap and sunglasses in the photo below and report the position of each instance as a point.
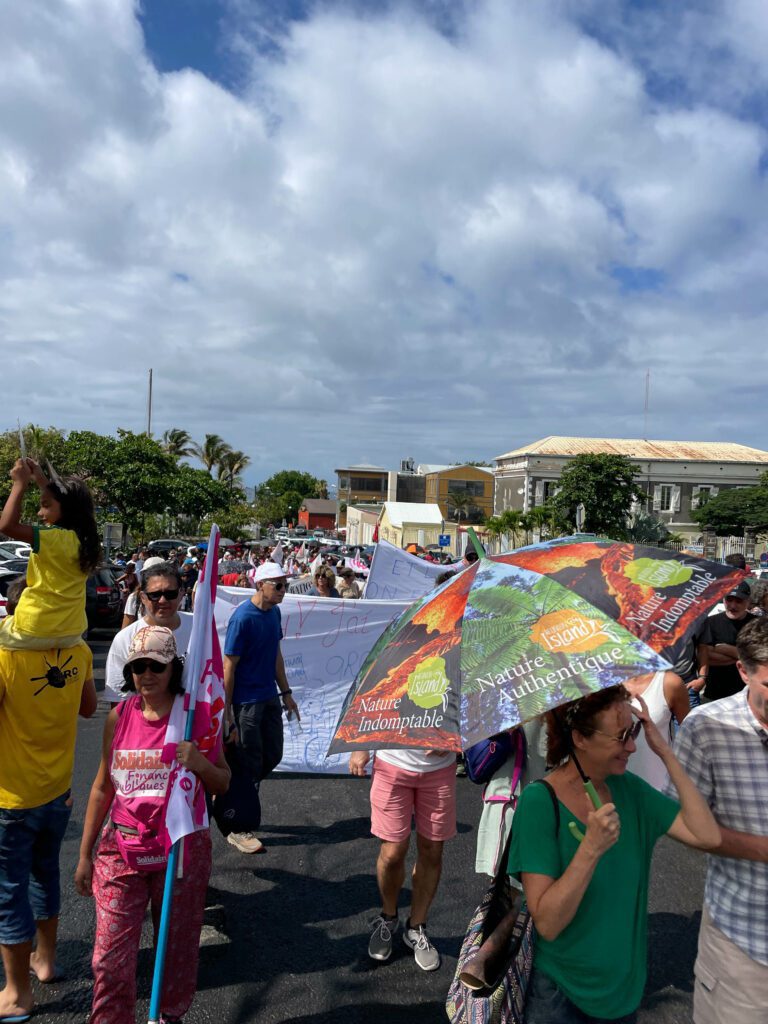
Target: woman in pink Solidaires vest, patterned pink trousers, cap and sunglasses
(127, 870)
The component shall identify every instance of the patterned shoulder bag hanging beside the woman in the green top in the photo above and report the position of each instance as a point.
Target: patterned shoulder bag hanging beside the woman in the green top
(497, 956)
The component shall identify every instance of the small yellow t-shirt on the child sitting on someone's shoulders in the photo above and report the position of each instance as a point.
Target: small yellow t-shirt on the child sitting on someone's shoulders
(54, 604)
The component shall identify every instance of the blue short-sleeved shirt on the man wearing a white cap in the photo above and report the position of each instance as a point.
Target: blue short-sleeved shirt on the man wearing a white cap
(253, 636)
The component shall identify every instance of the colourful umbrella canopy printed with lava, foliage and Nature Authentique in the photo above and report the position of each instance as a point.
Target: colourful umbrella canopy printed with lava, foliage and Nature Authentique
(502, 643)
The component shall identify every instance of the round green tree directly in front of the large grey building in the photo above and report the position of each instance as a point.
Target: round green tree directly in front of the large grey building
(607, 486)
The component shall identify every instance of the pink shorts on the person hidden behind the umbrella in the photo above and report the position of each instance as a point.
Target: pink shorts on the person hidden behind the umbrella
(398, 796)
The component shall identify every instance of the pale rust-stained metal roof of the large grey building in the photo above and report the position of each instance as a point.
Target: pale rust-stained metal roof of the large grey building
(637, 449)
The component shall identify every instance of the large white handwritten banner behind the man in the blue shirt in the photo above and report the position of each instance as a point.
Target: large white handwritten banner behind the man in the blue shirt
(325, 643)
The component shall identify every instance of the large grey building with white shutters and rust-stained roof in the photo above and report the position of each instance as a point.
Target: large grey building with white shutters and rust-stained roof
(676, 477)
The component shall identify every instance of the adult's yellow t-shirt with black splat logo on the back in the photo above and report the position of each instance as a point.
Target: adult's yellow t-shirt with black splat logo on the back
(38, 722)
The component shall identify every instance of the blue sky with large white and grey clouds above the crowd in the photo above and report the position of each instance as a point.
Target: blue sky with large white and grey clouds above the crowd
(348, 233)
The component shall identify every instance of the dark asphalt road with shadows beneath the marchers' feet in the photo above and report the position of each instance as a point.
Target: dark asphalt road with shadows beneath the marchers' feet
(289, 944)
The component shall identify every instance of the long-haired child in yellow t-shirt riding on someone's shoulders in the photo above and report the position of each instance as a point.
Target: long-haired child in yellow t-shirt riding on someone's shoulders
(52, 611)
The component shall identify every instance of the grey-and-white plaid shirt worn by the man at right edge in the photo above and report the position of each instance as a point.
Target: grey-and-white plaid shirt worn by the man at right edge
(726, 752)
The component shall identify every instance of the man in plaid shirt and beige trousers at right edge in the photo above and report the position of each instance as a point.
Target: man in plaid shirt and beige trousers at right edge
(724, 749)
